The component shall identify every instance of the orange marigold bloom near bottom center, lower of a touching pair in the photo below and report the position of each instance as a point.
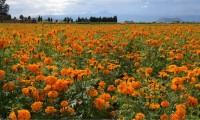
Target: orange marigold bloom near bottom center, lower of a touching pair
(101, 104)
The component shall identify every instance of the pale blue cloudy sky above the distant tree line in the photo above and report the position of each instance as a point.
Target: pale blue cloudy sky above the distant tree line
(124, 9)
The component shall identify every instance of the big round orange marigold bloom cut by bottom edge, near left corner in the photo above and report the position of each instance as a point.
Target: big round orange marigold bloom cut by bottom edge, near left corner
(24, 115)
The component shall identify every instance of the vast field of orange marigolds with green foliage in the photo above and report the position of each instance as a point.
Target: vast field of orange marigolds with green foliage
(118, 71)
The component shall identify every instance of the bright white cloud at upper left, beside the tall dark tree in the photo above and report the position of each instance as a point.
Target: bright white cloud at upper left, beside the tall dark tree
(39, 7)
